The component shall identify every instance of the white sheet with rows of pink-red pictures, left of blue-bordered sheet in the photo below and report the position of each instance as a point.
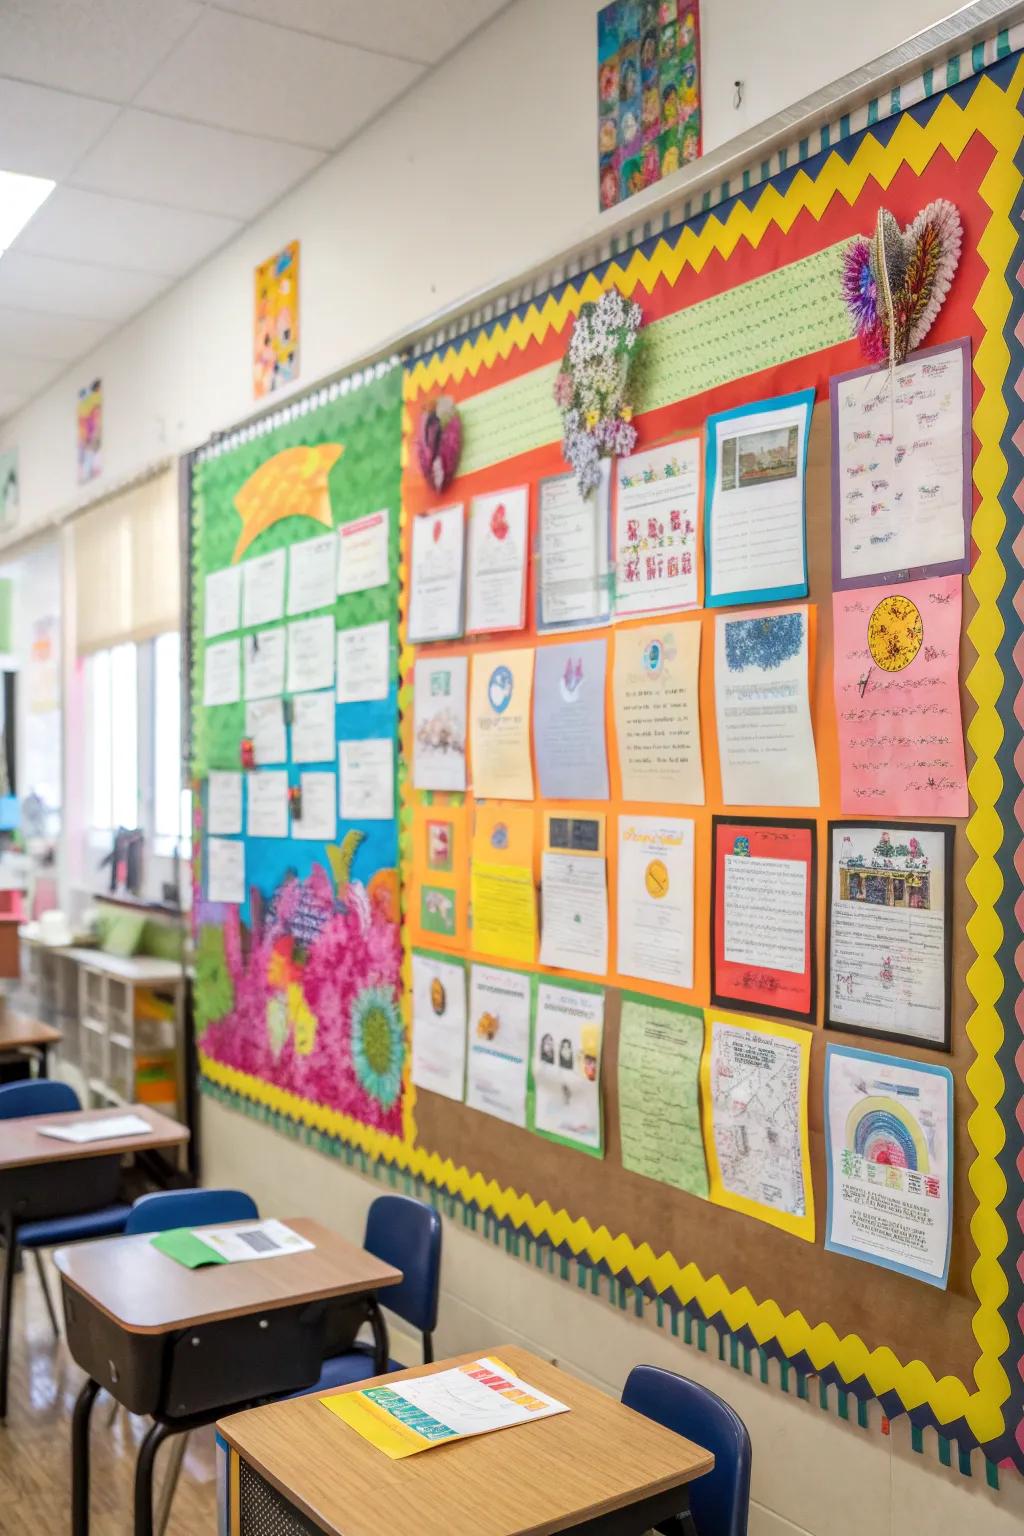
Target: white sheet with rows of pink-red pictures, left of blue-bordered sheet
(658, 517)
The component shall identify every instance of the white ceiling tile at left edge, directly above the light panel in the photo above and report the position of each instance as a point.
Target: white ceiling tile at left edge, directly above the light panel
(45, 133)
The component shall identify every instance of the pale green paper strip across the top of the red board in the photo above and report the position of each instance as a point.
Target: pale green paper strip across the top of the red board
(775, 319)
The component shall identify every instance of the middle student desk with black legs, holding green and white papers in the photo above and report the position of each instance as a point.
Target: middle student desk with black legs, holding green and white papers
(187, 1345)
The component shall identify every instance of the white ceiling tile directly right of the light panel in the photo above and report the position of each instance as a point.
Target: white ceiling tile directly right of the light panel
(116, 233)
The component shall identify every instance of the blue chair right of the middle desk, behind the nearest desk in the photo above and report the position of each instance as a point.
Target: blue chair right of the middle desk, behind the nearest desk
(403, 1233)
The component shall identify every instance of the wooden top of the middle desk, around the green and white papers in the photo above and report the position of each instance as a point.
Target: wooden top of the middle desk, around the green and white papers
(145, 1291)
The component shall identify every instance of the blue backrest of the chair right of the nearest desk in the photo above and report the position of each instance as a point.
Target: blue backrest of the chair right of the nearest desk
(721, 1500)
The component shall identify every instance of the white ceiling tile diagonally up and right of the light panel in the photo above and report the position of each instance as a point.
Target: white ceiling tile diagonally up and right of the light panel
(191, 167)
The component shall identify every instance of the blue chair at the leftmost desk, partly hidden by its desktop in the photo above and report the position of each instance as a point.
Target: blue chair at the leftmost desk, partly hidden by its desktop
(82, 1205)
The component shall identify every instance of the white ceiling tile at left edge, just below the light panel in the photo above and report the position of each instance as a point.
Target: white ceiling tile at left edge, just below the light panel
(76, 288)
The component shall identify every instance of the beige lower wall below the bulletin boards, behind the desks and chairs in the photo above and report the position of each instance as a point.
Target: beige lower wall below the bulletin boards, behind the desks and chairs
(813, 1474)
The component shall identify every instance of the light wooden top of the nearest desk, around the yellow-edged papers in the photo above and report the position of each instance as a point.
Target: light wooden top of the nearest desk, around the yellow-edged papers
(535, 1478)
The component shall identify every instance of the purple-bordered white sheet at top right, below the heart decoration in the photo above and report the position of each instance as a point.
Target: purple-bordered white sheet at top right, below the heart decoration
(900, 469)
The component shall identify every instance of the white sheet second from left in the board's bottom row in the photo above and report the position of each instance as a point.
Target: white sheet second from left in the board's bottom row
(500, 1044)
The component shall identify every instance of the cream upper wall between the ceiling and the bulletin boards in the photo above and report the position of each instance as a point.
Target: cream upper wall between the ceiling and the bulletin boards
(481, 171)
